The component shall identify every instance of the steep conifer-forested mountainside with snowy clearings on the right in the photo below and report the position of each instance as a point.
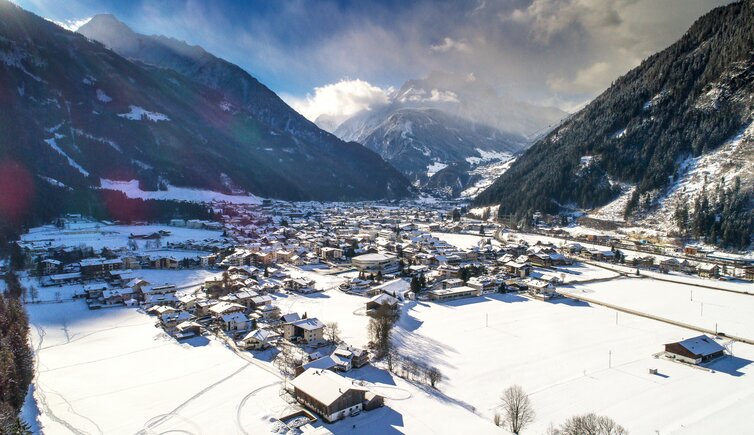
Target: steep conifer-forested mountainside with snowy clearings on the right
(669, 143)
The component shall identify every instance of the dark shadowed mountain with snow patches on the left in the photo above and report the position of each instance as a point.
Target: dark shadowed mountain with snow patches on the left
(75, 112)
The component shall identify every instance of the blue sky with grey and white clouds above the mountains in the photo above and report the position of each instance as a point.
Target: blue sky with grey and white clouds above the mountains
(337, 57)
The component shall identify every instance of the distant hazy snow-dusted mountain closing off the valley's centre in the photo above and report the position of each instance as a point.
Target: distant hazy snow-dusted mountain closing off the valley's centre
(446, 120)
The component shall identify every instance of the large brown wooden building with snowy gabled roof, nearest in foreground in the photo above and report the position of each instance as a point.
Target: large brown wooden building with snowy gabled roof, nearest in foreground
(328, 394)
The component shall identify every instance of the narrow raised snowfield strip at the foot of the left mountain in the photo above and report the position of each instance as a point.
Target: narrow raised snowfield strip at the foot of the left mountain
(132, 190)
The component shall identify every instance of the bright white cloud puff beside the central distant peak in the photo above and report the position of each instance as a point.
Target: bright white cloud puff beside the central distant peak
(336, 102)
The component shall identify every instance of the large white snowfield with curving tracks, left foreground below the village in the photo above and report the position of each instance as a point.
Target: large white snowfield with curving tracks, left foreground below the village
(113, 372)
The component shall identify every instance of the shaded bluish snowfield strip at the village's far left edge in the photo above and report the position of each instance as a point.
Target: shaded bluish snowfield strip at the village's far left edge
(98, 235)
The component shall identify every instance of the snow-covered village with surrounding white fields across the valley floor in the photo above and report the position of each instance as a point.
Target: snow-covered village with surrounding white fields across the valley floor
(378, 318)
